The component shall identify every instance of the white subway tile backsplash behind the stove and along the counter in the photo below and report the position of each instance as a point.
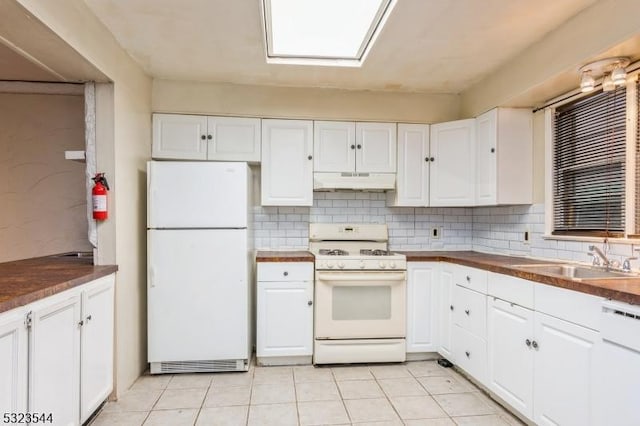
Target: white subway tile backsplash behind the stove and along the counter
(497, 230)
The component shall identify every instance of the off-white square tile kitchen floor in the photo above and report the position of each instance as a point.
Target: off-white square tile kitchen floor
(414, 393)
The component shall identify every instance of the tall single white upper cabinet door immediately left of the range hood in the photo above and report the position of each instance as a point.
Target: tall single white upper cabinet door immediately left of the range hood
(287, 166)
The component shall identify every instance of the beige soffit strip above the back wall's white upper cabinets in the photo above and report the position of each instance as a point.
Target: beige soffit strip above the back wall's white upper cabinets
(271, 101)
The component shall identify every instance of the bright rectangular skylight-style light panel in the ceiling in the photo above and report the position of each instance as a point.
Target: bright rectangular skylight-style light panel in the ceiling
(322, 32)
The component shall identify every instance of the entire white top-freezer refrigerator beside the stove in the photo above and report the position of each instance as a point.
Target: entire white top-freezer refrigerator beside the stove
(199, 266)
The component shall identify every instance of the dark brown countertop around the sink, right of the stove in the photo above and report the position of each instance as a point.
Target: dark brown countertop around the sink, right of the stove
(622, 289)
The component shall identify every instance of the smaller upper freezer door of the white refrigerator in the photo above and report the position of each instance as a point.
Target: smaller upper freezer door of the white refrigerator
(197, 195)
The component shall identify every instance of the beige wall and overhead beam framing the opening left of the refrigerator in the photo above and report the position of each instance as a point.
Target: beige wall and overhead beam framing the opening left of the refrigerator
(131, 147)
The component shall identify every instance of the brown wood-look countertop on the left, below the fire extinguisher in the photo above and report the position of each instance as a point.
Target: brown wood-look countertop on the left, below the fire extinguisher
(25, 281)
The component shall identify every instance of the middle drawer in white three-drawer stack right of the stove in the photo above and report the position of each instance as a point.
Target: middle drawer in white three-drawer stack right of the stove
(470, 311)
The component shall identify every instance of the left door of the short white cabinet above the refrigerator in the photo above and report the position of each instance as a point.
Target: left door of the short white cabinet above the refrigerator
(179, 137)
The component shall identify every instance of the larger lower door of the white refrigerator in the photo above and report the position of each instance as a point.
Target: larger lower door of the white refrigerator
(198, 295)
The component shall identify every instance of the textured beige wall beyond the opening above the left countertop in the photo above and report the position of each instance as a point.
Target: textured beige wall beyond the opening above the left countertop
(43, 209)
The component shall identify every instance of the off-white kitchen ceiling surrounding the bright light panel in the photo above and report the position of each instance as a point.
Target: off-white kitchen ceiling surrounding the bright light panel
(431, 46)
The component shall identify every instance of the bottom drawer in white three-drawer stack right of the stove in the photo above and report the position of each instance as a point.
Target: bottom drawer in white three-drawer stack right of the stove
(471, 353)
